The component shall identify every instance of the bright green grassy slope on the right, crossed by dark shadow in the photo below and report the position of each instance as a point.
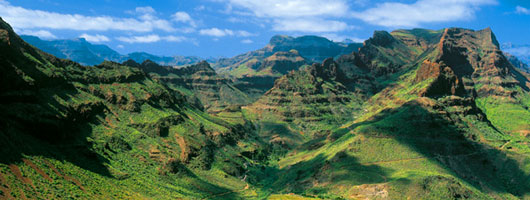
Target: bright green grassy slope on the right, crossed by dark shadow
(401, 147)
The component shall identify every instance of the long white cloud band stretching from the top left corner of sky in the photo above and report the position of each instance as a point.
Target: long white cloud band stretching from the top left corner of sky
(23, 18)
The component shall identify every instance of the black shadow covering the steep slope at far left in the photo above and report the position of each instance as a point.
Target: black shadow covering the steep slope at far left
(34, 128)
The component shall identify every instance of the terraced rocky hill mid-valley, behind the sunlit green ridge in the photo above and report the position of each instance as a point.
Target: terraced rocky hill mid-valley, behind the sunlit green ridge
(314, 99)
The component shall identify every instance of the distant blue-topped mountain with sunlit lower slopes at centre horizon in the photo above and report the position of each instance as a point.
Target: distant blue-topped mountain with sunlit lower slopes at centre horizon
(255, 71)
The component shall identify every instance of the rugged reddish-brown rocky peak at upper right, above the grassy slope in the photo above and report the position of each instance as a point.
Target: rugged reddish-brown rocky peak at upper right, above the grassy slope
(467, 58)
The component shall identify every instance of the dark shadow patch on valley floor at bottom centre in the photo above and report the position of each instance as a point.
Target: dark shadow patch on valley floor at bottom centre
(310, 177)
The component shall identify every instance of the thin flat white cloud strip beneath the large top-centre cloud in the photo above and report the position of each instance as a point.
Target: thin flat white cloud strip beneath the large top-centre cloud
(309, 25)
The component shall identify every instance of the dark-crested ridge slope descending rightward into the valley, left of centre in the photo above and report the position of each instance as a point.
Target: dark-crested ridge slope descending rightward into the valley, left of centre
(199, 82)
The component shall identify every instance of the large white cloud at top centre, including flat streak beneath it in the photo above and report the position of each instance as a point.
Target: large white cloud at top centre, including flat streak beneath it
(296, 15)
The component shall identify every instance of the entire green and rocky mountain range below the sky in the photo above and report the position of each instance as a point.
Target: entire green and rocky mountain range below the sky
(408, 114)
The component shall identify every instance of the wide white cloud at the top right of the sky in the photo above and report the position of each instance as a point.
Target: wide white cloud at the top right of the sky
(392, 14)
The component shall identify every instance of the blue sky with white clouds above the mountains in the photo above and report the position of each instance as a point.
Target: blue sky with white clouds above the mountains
(225, 28)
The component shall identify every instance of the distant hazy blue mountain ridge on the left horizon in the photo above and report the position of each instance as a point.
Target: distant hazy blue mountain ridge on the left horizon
(86, 53)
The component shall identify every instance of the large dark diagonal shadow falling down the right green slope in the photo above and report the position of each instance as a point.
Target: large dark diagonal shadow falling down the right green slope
(439, 138)
